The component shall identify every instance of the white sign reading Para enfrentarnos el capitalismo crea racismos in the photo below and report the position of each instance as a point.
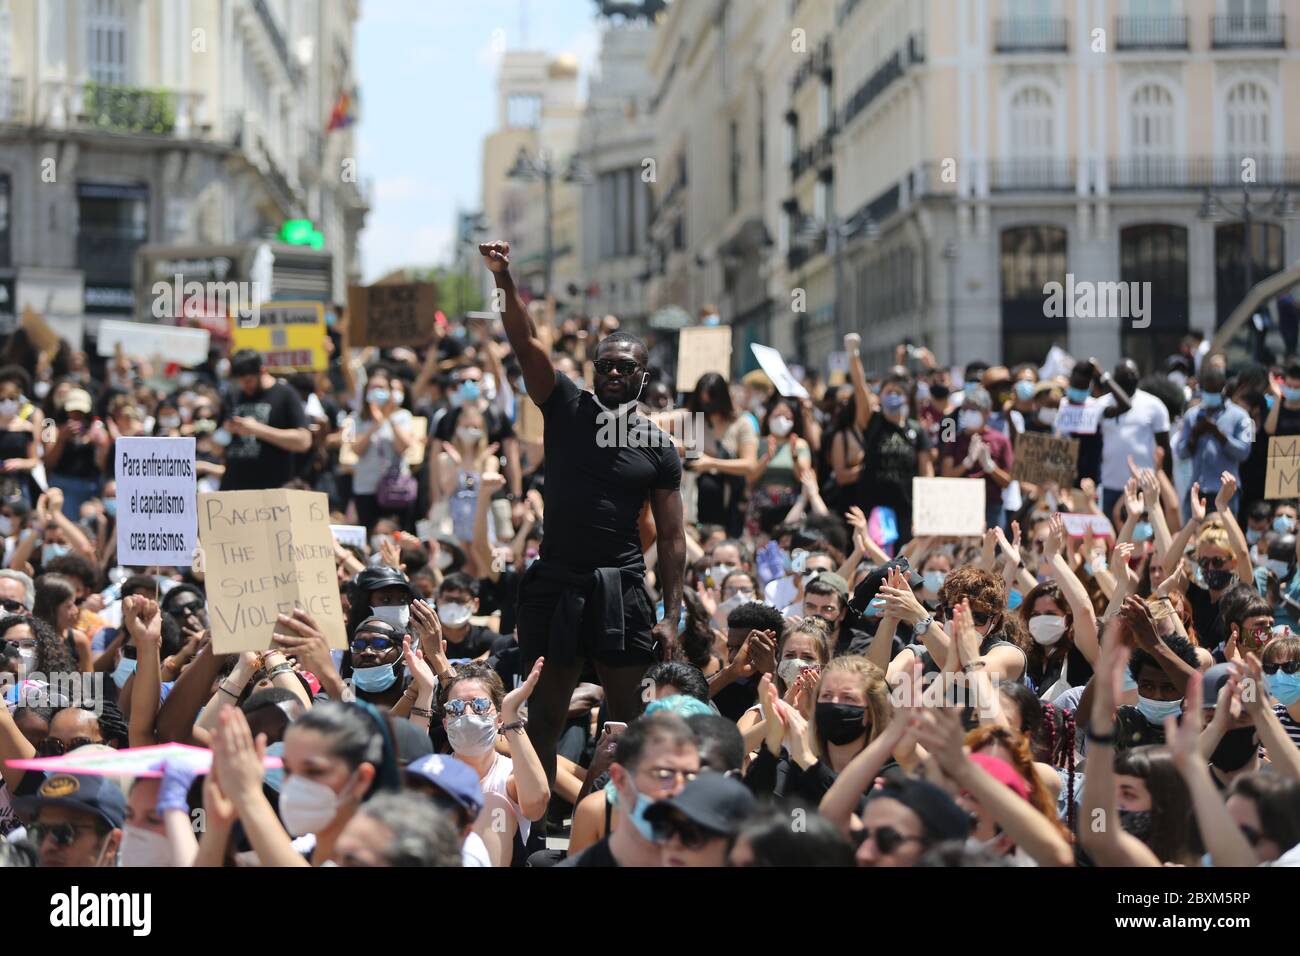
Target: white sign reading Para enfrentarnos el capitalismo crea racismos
(157, 521)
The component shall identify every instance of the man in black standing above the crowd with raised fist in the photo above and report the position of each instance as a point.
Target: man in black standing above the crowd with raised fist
(586, 598)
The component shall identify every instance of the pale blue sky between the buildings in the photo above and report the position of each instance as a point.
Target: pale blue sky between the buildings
(427, 73)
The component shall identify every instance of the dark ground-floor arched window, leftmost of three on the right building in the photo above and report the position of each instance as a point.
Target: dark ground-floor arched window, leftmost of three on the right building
(1032, 258)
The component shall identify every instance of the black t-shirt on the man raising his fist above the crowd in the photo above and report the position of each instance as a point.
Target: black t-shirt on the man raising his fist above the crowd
(595, 495)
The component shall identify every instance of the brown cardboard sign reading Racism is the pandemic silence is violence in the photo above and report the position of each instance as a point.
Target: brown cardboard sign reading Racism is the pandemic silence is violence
(267, 553)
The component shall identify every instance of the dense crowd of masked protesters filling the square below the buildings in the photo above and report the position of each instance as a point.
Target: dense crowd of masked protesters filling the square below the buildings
(713, 641)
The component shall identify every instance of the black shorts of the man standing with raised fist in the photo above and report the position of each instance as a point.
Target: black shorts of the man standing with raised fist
(538, 602)
